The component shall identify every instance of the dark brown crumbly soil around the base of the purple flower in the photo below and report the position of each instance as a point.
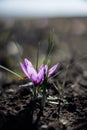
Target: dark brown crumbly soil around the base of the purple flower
(18, 110)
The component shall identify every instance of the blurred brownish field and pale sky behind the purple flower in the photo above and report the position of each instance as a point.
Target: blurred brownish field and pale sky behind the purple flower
(24, 24)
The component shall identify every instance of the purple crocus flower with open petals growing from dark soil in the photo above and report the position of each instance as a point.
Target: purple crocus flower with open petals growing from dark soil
(37, 76)
